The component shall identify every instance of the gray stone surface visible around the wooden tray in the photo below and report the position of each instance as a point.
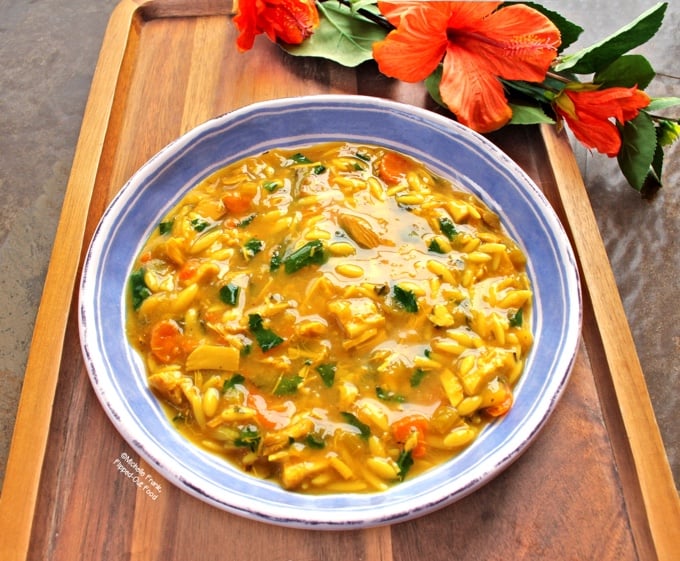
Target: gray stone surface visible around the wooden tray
(49, 50)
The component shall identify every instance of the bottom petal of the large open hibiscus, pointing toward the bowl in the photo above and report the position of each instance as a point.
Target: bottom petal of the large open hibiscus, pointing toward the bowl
(473, 93)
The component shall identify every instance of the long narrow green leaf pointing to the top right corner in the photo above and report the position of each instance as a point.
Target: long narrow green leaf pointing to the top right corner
(600, 55)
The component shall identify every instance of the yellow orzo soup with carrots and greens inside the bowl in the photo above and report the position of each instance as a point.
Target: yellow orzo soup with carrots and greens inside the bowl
(335, 318)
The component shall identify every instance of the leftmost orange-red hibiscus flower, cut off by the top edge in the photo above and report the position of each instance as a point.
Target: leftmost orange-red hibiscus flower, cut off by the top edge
(290, 21)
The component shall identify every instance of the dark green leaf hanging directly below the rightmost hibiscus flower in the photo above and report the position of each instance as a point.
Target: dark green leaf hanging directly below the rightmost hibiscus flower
(638, 146)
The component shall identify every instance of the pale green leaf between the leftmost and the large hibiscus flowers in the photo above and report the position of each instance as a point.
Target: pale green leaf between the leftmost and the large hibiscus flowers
(342, 36)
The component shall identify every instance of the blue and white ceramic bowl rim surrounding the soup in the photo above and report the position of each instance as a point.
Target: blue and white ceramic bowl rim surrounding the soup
(117, 373)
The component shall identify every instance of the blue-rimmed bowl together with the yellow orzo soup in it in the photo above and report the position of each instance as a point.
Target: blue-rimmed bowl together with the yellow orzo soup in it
(329, 311)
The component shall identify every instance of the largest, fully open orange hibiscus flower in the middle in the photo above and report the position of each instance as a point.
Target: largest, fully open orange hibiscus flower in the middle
(478, 42)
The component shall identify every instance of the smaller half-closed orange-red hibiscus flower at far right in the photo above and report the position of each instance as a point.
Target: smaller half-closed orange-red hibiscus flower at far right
(590, 114)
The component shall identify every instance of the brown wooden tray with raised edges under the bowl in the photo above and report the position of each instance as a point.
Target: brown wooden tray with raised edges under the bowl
(595, 484)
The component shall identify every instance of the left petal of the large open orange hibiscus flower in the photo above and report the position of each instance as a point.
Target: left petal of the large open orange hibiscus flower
(413, 51)
